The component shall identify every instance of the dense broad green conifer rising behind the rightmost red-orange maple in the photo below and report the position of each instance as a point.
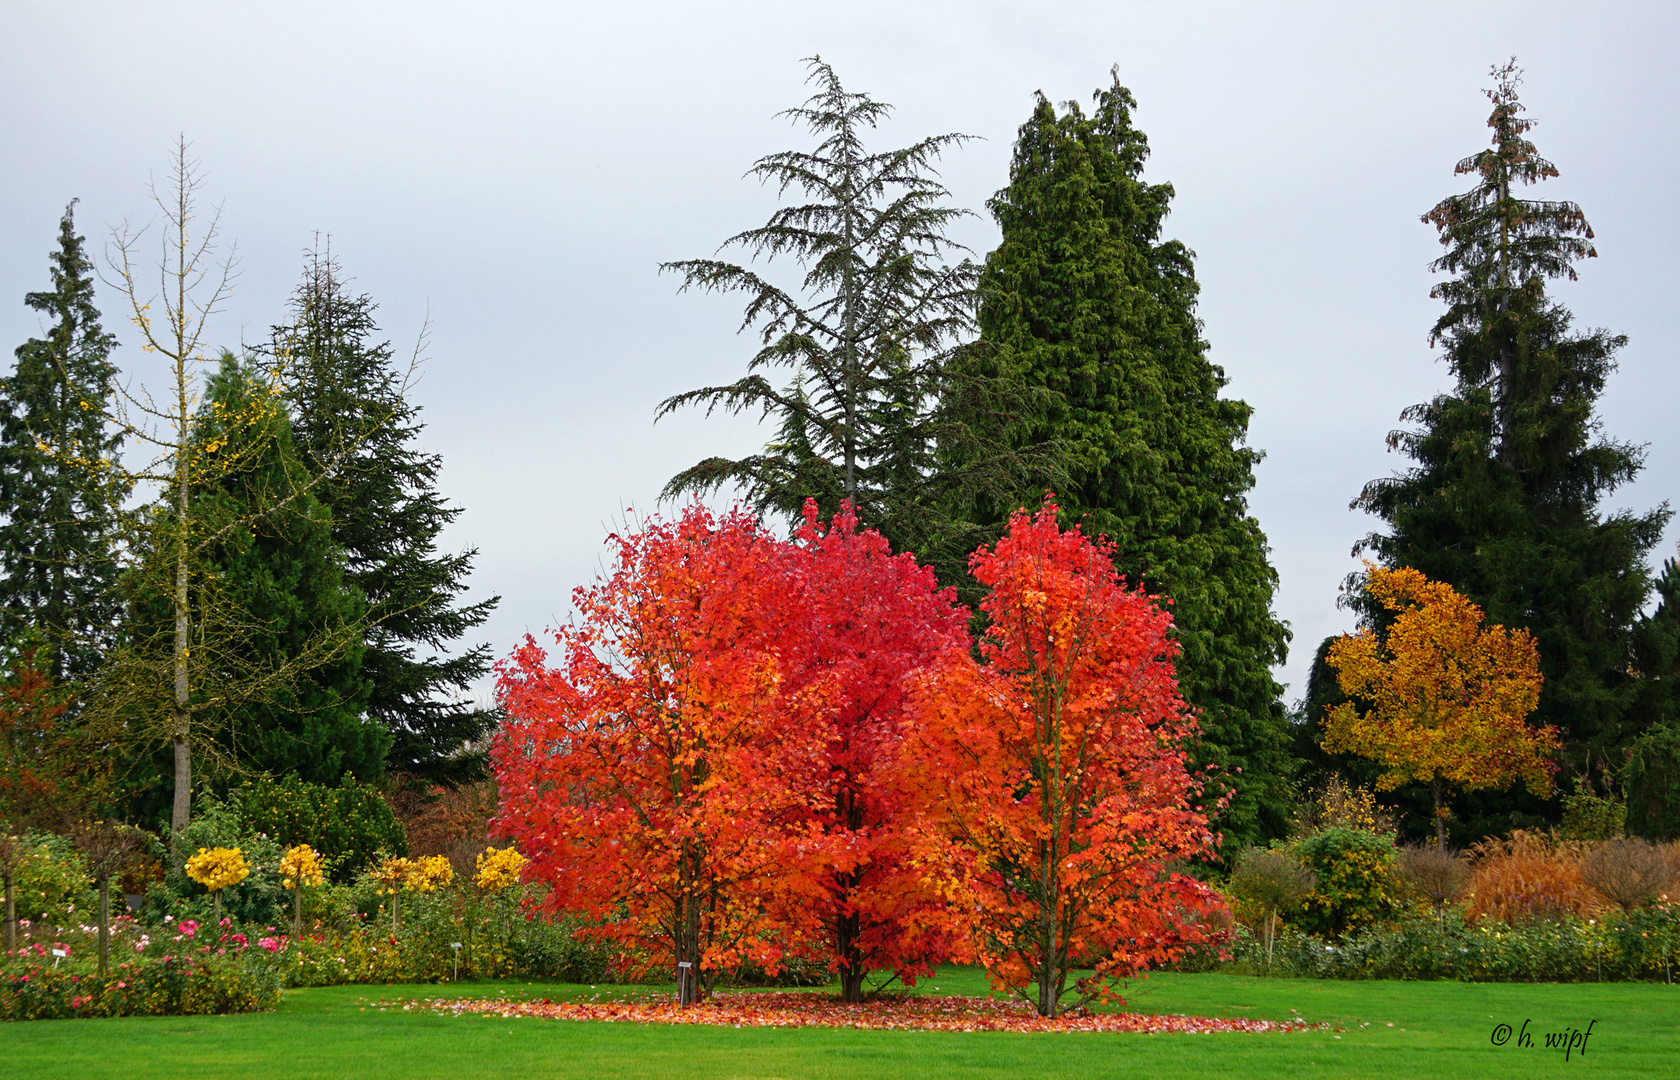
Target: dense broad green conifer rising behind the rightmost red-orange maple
(1086, 300)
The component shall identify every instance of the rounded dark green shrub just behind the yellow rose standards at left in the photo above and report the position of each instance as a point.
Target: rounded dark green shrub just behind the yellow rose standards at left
(352, 824)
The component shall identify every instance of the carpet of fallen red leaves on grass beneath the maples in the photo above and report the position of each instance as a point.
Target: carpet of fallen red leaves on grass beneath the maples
(804, 1010)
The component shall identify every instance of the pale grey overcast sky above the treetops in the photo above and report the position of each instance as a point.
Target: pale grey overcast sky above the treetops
(517, 172)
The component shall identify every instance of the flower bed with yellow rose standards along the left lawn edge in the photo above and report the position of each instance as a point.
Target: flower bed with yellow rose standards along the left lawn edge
(249, 915)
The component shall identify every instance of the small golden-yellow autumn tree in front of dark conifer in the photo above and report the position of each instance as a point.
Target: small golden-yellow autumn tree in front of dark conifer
(1449, 698)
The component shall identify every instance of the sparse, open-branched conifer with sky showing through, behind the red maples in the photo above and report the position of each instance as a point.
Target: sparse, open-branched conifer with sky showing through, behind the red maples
(871, 409)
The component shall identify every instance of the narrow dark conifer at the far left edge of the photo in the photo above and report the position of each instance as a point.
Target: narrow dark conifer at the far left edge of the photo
(60, 508)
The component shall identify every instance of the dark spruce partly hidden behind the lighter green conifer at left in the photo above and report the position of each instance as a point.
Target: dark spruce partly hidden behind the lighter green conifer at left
(347, 392)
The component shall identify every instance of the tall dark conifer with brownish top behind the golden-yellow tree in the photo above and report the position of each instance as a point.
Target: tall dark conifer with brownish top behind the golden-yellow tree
(1511, 466)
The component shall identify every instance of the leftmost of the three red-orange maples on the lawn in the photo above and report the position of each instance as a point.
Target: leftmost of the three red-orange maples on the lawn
(654, 777)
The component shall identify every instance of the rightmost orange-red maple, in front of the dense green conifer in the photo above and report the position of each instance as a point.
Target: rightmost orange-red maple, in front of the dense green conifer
(1053, 773)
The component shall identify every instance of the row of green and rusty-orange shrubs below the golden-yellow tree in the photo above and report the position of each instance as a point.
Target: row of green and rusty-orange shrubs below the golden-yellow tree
(1343, 899)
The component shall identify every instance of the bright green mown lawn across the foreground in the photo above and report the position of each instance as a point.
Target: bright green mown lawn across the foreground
(340, 1034)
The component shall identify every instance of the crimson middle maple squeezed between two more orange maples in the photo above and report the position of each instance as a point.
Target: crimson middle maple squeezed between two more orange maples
(866, 621)
